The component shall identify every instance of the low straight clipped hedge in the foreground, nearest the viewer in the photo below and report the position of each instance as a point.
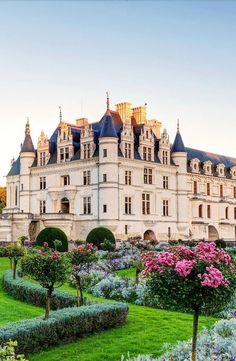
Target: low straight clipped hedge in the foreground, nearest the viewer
(64, 325)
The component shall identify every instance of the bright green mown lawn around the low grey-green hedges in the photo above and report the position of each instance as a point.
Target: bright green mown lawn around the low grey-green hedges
(146, 331)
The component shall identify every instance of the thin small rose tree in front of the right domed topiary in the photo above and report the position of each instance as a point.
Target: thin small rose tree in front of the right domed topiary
(81, 256)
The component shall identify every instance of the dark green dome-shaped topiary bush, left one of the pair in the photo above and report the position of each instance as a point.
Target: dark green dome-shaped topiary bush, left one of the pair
(51, 234)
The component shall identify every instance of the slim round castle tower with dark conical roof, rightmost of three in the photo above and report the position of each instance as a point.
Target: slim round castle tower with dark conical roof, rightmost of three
(179, 157)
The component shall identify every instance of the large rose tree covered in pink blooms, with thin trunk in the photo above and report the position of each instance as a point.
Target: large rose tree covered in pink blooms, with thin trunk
(200, 279)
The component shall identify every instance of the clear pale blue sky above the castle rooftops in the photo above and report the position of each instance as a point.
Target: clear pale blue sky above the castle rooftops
(179, 57)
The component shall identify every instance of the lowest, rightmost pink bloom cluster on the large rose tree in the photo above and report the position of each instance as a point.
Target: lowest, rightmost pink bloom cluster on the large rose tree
(213, 278)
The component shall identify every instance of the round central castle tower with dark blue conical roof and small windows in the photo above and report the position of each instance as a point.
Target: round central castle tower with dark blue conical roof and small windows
(108, 170)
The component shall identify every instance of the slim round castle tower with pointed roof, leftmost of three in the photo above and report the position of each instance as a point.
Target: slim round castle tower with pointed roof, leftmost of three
(27, 157)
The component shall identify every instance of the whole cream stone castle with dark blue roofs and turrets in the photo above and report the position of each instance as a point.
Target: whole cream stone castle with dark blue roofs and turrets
(122, 173)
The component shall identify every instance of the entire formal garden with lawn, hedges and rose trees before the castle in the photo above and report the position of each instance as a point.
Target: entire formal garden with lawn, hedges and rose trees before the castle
(135, 301)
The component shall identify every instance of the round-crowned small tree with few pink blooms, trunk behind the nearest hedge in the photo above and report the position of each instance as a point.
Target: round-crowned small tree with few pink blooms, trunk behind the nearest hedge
(49, 268)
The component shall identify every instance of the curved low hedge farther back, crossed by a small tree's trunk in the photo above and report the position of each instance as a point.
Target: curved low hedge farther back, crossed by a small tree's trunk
(32, 293)
